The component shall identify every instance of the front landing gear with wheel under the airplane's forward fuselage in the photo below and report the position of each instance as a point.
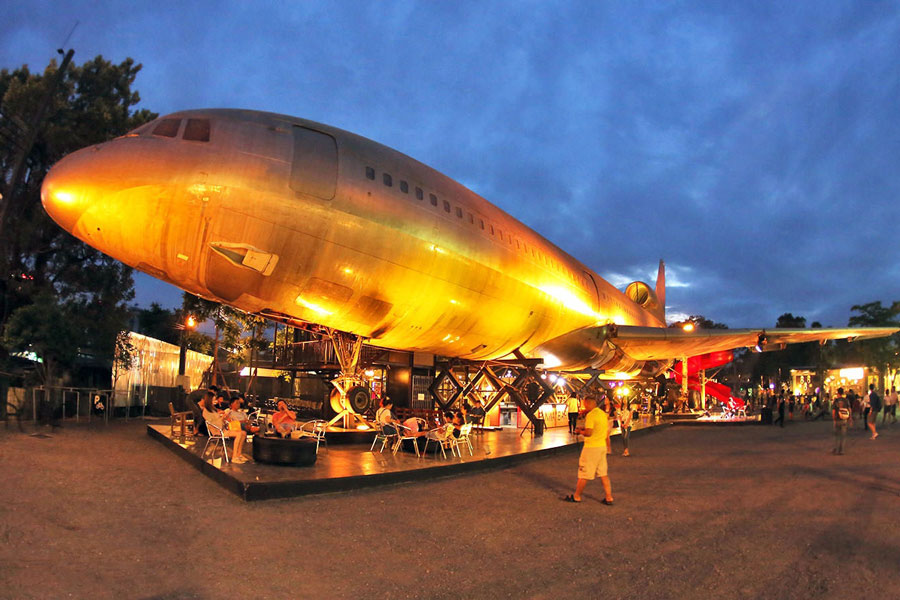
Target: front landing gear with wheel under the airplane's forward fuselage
(350, 396)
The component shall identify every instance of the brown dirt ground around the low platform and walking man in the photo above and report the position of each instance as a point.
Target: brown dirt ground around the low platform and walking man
(743, 512)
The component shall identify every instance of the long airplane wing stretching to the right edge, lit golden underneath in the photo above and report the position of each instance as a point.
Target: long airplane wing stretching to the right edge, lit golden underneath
(603, 344)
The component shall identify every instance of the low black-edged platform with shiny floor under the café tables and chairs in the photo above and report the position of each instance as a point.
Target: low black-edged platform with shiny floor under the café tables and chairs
(344, 467)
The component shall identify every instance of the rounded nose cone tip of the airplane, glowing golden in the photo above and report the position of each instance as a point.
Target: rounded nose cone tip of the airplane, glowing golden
(65, 192)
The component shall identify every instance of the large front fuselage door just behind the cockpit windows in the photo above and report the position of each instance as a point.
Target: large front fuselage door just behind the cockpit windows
(314, 165)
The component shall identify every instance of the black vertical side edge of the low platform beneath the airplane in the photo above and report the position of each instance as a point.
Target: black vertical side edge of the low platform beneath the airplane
(253, 491)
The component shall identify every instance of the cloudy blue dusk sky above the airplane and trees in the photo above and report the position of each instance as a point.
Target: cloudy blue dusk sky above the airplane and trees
(752, 145)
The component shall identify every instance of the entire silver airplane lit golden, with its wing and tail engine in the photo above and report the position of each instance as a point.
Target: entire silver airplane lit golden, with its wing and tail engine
(306, 223)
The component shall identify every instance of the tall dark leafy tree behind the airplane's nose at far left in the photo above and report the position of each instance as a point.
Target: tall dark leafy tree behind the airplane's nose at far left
(48, 276)
